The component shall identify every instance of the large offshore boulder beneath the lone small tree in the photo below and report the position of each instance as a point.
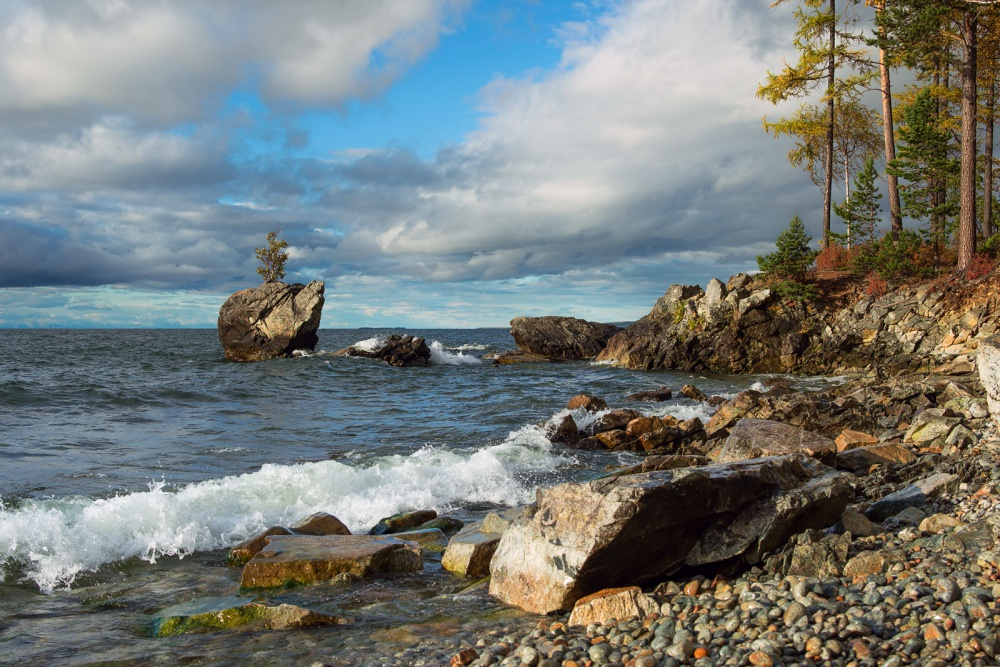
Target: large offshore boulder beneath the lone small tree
(273, 320)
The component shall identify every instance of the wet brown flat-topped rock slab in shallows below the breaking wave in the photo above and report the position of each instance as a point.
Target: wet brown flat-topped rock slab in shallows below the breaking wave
(305, 559)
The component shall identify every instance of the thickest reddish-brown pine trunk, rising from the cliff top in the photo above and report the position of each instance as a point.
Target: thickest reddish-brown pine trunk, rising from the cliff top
(967, 187)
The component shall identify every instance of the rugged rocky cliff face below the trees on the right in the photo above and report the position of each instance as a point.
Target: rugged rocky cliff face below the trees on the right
(744, 328)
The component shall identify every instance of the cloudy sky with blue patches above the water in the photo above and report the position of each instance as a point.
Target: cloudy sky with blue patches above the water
(437, 163)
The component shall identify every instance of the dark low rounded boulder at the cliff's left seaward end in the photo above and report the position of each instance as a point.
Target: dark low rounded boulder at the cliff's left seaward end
(561, 337)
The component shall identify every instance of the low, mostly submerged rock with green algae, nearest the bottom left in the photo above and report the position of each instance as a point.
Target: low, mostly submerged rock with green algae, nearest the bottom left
(230, 613)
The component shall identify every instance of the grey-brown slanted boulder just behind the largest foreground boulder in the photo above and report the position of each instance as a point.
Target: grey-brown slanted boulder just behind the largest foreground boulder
(756, 438)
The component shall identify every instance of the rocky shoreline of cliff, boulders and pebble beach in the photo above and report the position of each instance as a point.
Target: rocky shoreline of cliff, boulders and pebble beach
(856, 525)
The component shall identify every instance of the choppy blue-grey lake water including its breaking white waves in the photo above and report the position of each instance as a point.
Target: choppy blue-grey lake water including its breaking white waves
(130, 461)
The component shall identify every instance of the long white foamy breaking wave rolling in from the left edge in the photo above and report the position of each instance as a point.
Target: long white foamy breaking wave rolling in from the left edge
(55, 540)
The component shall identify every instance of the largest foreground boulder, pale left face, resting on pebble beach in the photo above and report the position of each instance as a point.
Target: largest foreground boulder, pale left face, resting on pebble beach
(581, 534)
